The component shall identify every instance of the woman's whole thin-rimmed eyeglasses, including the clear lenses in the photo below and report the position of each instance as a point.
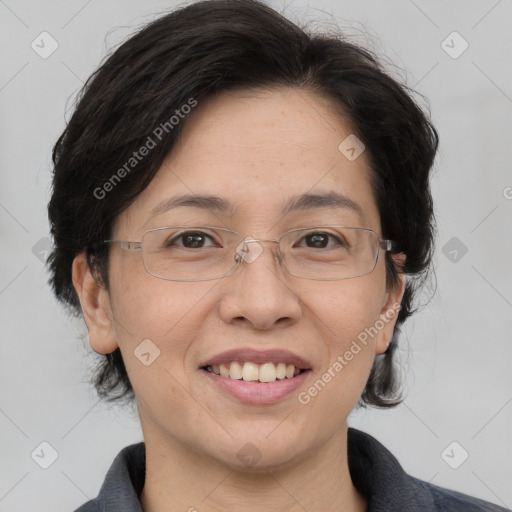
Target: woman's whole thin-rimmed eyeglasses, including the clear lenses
(200, 253)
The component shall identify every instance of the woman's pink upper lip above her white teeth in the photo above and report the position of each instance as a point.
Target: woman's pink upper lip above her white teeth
(257, 356)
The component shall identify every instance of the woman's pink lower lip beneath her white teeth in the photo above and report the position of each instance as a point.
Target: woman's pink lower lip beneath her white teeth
(255, 392)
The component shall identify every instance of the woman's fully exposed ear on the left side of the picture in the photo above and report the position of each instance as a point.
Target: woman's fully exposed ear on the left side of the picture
(95, 303)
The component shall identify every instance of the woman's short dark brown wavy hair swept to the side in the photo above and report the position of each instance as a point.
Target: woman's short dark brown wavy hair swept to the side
(210, 47)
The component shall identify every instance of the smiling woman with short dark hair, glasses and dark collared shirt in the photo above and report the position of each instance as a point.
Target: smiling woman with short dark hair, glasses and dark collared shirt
(242, 214)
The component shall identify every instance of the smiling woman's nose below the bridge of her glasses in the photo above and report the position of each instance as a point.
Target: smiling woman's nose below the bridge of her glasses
(259, 294)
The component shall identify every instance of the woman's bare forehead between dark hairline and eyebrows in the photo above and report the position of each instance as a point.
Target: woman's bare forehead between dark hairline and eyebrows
(260, 153)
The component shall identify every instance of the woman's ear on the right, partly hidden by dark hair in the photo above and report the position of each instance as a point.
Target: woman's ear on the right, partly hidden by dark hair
(390, 308)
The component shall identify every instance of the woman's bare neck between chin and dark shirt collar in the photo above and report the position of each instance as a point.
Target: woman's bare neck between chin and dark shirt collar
(179, 478)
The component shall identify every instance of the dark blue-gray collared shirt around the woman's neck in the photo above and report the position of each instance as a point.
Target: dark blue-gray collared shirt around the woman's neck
(375, 472)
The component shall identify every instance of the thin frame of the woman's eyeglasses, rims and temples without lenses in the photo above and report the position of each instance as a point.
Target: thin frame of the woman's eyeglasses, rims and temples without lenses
(386, 245)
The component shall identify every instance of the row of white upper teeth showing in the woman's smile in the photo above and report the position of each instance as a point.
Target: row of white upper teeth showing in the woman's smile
(267, 372)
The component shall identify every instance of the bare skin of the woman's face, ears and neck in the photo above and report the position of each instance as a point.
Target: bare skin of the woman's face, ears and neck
(255, 150)
